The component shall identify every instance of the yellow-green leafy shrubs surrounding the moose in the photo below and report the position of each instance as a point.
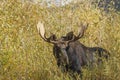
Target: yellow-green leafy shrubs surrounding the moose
(25, 56)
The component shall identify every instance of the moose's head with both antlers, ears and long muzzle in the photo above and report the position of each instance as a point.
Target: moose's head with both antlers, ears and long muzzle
(64, 41)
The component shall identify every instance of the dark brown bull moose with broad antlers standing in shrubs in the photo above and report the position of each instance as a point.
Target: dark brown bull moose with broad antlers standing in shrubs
(70, 53)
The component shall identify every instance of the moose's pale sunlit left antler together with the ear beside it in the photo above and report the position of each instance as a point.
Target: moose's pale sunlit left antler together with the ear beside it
(41, 30)
